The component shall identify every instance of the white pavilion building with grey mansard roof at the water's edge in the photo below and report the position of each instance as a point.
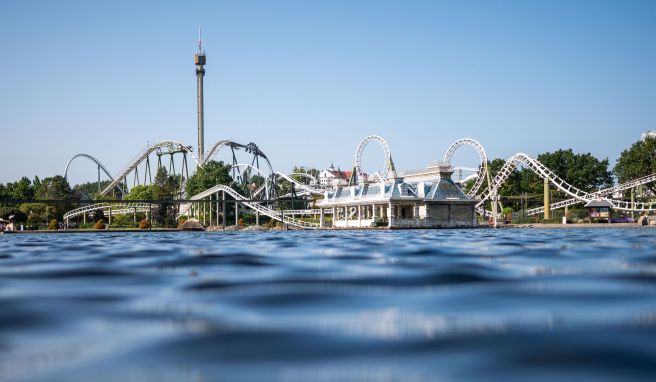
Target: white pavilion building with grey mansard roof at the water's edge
(397, 203)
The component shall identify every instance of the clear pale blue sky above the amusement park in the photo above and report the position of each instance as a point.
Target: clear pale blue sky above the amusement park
(307, 80)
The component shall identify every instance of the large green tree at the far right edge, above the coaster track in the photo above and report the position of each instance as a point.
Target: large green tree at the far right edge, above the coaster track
(637, 161)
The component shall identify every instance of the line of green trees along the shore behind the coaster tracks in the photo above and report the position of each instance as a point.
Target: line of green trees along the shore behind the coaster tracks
(583, 171)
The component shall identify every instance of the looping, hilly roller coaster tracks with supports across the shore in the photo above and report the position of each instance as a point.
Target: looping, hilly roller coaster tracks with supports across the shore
(270, 183)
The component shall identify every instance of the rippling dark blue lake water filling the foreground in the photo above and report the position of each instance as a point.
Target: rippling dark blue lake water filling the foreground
(512, 304)
